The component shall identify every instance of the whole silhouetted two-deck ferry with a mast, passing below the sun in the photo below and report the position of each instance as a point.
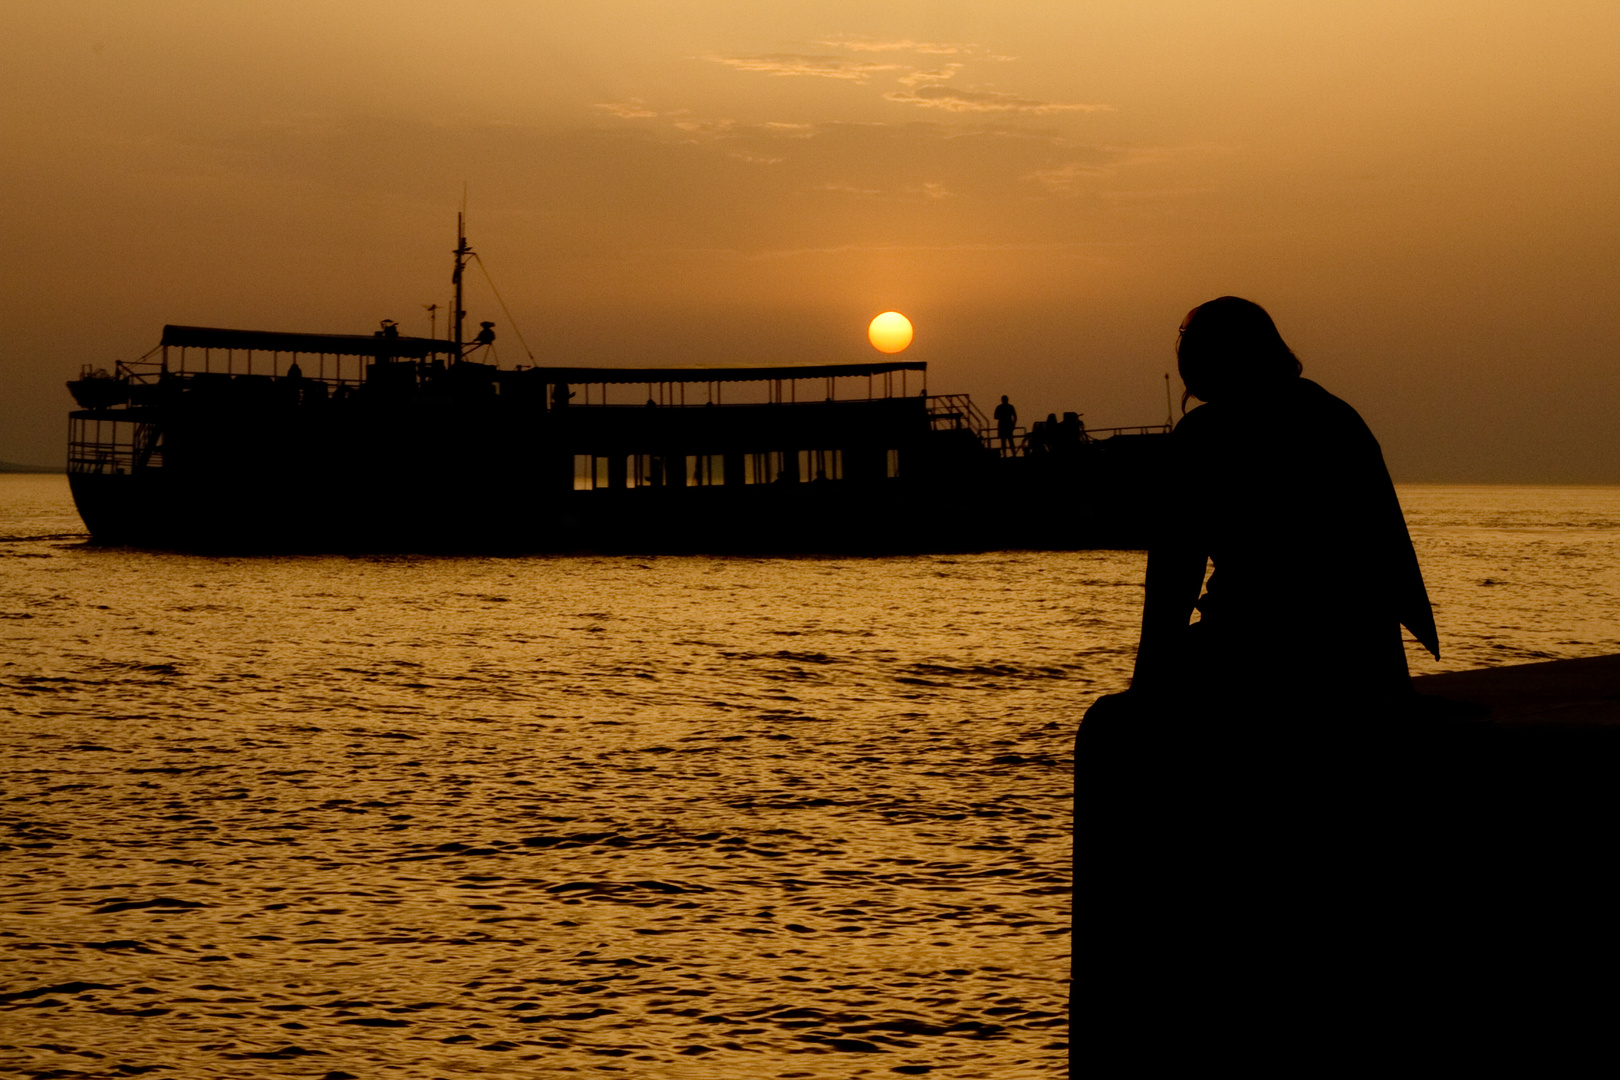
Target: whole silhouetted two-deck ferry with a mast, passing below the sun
(255, 441)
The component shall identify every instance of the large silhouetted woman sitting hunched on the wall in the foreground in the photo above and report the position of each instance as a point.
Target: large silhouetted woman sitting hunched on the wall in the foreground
(1284, 490)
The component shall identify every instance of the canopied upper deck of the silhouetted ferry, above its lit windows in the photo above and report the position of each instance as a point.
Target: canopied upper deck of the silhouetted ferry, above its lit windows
(254, 388)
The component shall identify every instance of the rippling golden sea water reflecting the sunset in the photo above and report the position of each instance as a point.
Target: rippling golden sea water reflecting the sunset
(688, 819)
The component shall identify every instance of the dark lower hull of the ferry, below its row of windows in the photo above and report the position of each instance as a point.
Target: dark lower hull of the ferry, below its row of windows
(1046, 509)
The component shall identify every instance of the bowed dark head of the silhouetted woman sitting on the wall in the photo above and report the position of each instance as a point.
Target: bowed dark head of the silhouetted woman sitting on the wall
(1232, 346)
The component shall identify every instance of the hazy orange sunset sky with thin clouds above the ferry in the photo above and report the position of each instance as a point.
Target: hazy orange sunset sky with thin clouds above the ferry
(1422, 193)
